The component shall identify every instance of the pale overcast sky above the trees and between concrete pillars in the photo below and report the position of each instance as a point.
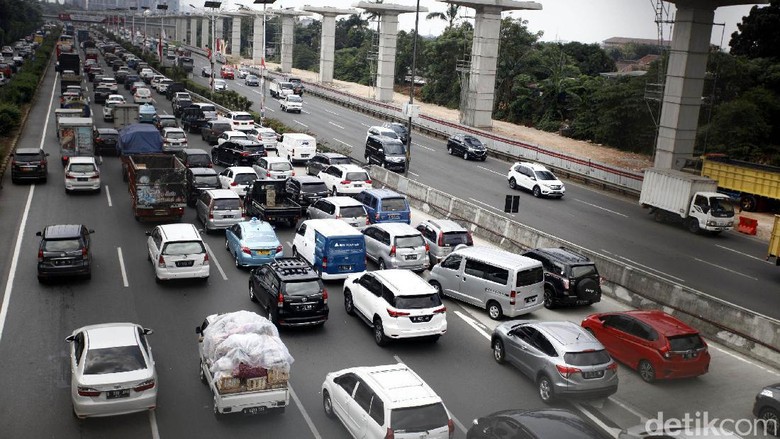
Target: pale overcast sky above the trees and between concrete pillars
(586, 21)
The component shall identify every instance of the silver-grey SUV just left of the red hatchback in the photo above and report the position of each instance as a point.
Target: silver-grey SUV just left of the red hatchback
(563, 358)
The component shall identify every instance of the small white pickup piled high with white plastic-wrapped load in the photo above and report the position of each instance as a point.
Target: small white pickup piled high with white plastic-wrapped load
(244, 362)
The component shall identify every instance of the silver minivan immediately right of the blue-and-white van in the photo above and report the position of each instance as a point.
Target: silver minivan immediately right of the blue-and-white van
(396, 245)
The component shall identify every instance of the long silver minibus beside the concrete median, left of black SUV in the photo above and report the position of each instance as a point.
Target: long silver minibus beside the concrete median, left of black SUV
(503, 283)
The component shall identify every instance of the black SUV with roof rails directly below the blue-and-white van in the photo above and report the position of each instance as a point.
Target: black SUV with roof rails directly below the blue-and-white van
(290, 291)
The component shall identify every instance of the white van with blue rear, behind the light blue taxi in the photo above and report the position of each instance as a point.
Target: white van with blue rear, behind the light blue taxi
(332, 246)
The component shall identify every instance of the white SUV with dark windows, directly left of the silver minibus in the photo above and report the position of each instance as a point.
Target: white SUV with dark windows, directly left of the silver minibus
(408, 307)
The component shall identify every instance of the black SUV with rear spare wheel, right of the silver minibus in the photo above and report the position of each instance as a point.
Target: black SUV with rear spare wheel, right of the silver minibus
(569, 278)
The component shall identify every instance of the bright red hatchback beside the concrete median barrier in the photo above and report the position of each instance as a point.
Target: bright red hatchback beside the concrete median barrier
(652, 342)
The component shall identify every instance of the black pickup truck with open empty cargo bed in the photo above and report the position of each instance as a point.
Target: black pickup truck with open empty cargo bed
(269, 201)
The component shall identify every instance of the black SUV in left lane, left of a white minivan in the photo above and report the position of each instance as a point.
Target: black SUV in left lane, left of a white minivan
(64, 251)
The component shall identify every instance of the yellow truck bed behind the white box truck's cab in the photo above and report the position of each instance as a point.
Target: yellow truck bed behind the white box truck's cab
(757, 187)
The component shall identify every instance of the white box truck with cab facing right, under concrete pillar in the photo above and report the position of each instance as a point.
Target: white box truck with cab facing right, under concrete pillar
(678, 196)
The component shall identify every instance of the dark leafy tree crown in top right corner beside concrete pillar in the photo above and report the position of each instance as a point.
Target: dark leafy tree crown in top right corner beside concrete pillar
(757, 36)
